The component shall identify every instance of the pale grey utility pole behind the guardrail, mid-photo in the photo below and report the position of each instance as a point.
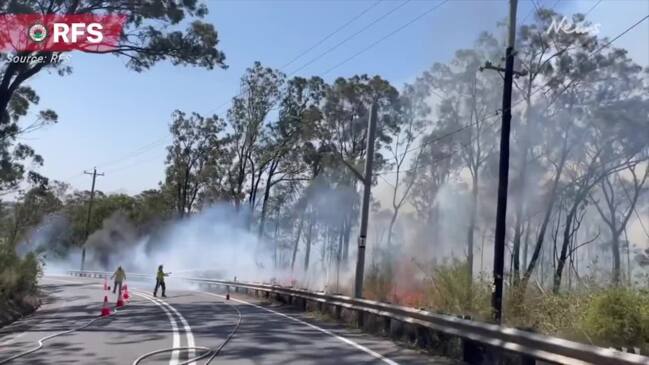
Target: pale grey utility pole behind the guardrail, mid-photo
(365, 210)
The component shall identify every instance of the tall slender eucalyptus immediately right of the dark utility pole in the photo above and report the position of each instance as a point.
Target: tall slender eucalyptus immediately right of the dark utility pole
(542, 56)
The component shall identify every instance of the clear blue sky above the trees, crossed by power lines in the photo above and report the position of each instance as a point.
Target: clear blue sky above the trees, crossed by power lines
(117, 119)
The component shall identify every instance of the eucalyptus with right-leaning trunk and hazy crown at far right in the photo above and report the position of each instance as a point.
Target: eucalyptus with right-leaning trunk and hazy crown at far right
(611, 111)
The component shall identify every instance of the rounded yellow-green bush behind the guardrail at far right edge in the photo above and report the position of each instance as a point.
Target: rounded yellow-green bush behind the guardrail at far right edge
(618, 317)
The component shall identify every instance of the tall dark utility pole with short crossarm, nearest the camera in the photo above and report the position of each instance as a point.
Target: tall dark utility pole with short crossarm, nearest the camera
(503, 170)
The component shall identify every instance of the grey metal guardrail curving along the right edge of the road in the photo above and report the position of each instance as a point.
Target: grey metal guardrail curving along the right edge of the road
(530, 346)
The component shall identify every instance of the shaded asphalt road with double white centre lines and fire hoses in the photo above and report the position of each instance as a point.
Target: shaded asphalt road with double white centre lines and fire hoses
(266, 334)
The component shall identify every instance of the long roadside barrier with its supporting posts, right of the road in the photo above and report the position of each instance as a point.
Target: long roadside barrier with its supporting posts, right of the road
(478, 340)
